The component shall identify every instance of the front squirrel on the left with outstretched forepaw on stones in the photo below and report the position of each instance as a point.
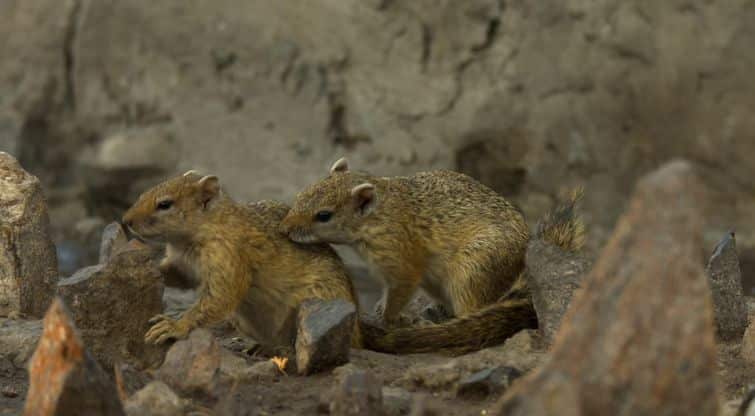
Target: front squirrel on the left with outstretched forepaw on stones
(245, 267)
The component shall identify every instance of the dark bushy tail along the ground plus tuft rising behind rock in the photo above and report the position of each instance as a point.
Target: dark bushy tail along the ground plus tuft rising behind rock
(493, 324)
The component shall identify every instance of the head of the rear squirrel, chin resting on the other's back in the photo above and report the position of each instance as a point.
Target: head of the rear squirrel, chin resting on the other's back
(332, 210)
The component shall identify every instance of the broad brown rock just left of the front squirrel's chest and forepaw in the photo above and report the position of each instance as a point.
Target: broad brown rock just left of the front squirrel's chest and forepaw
(112, 304)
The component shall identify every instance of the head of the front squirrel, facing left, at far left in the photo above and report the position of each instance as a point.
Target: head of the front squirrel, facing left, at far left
(171, 210)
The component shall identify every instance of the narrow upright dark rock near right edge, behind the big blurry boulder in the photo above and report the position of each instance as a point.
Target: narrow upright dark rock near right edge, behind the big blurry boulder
(726, 286)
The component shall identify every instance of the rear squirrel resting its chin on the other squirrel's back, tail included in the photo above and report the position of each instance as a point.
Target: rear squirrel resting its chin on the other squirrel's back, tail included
(443, 231)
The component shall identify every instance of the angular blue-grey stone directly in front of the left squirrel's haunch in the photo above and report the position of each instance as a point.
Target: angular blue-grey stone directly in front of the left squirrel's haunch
(323, 337)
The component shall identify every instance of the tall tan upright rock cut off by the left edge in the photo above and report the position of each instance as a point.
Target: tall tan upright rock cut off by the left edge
(28, 264)
